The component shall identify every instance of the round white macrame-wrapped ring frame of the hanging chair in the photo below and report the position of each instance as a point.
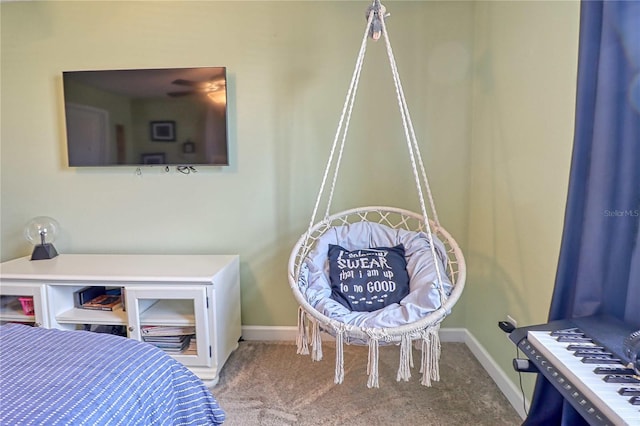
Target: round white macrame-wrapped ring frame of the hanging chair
(395, 218)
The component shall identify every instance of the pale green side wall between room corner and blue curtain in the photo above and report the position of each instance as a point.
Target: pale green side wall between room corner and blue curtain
(522, 133)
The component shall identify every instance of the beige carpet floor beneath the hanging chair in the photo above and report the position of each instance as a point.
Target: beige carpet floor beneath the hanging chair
(269, 384)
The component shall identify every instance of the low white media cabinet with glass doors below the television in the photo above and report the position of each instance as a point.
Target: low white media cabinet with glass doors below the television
(171, 291)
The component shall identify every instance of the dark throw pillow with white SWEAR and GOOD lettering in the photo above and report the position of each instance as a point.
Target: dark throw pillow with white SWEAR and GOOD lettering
(368, 279)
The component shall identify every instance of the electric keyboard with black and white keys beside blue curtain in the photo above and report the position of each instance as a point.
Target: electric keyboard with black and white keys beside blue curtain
(584, 359)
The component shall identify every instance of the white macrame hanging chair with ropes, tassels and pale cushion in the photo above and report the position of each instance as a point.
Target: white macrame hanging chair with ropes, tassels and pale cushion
(438, 251)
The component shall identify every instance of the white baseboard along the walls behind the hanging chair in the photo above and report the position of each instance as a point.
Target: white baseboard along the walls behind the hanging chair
(455, 335)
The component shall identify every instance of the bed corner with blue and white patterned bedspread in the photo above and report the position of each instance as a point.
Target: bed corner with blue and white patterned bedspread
(57, 377)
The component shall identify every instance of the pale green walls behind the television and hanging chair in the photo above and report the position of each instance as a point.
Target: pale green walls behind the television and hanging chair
(490, 87)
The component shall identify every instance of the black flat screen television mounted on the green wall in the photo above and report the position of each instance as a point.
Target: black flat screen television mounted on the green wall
(136, 117)
